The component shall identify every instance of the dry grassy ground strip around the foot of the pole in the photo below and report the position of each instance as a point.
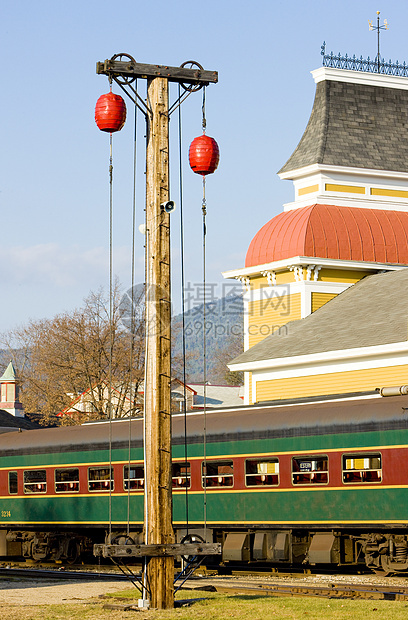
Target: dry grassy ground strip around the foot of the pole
(219, 607)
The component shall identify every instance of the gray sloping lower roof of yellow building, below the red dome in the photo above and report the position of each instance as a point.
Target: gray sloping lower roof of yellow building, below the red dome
(372, 312)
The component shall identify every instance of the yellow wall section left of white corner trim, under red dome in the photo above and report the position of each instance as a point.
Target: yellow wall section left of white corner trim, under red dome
(267, 315)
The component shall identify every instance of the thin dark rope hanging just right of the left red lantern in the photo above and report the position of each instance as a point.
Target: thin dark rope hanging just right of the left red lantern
(132, 395)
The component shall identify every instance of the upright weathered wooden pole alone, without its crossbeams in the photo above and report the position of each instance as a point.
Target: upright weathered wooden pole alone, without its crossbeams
(158, 520)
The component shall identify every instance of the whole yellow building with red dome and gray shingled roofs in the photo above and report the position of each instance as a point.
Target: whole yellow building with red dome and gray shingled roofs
(325, 280)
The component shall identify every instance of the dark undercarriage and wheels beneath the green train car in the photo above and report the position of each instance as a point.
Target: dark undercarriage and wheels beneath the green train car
(383, 552)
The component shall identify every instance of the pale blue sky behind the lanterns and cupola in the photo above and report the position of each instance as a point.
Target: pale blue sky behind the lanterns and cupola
(54, 161)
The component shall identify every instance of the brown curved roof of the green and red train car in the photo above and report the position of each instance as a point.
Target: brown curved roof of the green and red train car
(251, 422)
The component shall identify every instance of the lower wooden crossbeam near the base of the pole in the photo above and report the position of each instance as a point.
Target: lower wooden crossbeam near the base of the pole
(169, 550)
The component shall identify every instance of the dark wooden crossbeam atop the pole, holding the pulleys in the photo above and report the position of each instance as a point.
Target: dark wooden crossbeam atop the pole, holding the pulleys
(131, 69)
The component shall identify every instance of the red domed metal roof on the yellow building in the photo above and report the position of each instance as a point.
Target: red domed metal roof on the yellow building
(327, 231)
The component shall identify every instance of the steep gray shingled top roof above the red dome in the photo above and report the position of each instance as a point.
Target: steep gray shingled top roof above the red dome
(355, 125)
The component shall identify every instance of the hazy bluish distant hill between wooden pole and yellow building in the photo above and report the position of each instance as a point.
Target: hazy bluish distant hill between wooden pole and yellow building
(224, 326)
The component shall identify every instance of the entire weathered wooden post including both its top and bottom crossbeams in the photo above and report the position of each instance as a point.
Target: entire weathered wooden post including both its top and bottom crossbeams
(159, 546)
